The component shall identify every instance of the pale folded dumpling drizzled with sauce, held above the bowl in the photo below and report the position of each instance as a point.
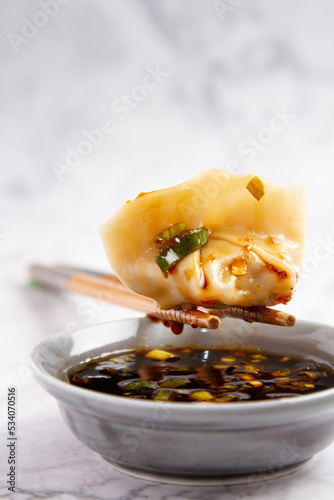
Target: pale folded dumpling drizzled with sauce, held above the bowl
(253, 255)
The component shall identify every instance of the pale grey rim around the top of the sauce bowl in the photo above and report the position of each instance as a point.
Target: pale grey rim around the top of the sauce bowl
(263, 406)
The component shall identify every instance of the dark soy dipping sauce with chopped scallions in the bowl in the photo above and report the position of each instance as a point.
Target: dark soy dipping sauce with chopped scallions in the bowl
(199, 375)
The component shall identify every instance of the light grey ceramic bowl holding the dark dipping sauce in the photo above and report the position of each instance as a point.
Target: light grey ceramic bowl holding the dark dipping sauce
(189, 443)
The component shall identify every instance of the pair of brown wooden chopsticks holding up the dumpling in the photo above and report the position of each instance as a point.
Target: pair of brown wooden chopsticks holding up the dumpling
(109, 288)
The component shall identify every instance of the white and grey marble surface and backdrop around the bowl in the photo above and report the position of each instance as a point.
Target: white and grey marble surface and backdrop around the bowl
(223, 76)
